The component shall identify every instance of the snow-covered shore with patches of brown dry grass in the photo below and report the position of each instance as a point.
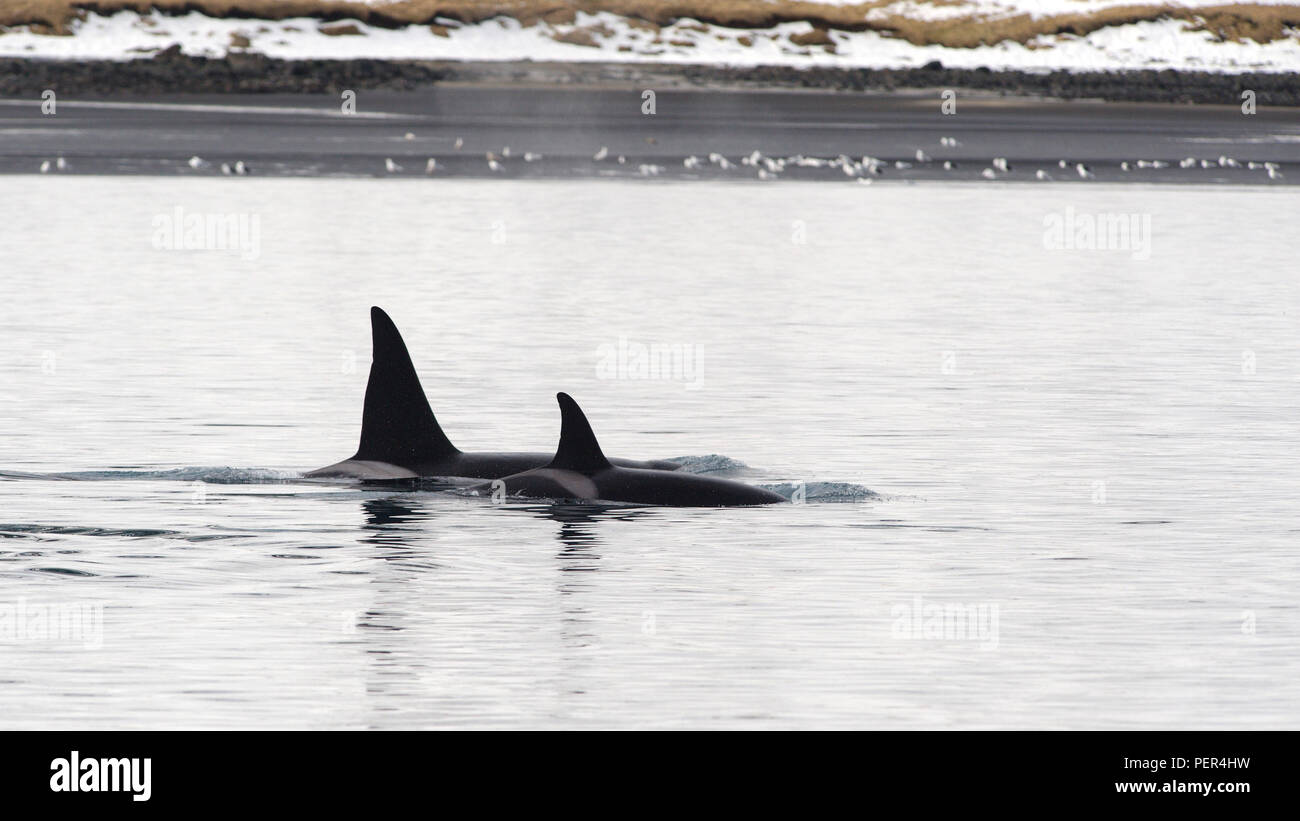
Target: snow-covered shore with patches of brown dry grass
(1191, 42)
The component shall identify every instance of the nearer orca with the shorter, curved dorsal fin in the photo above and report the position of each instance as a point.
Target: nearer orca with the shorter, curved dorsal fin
(582, 472)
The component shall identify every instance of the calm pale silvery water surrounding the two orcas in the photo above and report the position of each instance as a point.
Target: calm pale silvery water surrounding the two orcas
(1089, 455)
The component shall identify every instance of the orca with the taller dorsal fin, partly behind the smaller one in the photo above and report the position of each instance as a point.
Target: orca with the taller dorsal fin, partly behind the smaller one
(401, 438)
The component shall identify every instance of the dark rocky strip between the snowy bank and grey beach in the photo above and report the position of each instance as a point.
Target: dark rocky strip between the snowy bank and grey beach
(171, 72)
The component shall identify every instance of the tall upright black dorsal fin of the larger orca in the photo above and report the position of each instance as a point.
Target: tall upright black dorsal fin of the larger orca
(397, 427)
